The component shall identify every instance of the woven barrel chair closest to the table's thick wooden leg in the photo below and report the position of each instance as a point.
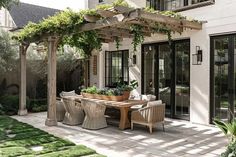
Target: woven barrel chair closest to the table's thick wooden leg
(94, 118)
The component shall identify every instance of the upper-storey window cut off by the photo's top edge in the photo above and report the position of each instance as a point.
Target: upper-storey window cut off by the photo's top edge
(177, 5)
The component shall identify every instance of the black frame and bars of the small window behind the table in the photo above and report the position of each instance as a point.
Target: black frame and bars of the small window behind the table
(107, 68)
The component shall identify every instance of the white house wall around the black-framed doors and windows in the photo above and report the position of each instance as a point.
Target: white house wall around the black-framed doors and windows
(221, 19)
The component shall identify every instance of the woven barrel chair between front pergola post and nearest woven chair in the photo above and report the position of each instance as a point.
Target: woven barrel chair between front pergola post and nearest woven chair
(74, 112)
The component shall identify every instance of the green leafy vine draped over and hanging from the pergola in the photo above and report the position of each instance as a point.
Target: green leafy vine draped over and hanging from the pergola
(66, 25)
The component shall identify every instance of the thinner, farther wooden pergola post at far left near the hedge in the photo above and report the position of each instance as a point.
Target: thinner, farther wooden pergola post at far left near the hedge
(22, 104)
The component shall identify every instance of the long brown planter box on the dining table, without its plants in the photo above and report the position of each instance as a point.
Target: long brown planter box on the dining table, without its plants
(103, 97)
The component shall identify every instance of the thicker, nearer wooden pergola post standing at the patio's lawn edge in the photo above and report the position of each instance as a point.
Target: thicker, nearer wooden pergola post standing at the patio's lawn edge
(52, 63)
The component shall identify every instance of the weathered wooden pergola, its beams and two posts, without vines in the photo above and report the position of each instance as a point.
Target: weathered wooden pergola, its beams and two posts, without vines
(112, 23)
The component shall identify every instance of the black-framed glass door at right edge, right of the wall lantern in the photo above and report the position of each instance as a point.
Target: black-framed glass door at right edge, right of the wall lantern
(223, 77)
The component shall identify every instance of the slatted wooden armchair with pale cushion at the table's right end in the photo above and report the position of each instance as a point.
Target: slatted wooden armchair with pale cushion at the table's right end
(150, 115)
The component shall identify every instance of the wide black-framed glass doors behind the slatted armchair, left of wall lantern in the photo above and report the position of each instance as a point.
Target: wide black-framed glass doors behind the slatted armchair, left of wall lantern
(166, 74)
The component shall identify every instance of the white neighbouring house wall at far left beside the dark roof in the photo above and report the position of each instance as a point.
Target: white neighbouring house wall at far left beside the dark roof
(6, 21)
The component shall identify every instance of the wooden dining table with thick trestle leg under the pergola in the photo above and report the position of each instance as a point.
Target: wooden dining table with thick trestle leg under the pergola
(123, 106)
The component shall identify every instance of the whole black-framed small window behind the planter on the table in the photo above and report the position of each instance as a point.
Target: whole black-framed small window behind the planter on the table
(116, 67)
